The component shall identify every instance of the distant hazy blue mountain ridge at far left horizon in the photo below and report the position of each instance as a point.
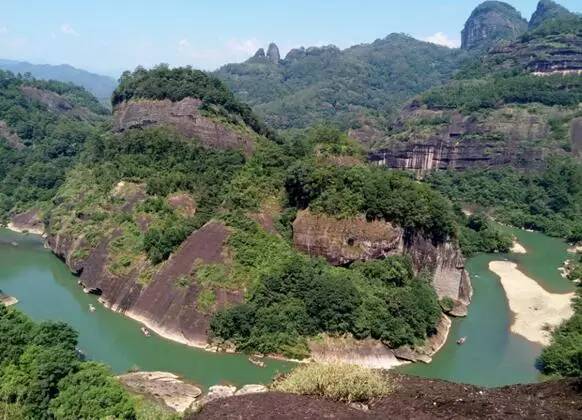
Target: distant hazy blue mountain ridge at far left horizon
(100, 86)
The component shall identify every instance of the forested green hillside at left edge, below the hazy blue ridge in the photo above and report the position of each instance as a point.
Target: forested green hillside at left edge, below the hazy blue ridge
(45, 143)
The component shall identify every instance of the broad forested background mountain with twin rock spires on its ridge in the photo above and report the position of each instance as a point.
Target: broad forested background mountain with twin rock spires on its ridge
(326, 83)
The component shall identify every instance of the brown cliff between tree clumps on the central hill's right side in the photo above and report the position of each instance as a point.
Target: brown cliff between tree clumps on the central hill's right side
(344, 241)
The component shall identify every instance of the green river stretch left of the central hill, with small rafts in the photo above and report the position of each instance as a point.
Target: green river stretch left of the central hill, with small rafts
(46, 290)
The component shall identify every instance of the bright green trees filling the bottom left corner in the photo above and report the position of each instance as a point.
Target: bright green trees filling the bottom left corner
(41, 375)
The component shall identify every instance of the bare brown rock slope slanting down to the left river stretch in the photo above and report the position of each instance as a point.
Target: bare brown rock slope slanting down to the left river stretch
(164, 305)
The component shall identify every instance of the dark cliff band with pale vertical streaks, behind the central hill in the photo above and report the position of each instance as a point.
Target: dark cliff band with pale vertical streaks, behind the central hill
(427, 140)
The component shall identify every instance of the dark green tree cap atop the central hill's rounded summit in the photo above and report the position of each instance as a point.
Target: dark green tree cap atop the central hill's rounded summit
(161, 82)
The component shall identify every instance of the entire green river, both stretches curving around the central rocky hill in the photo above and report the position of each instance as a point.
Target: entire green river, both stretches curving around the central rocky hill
(491, 356)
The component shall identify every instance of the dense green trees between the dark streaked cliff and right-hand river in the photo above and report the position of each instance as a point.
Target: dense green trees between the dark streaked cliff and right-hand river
(550, 201)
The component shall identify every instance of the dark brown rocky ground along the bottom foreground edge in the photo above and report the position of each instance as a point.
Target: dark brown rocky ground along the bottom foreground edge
(414, 398)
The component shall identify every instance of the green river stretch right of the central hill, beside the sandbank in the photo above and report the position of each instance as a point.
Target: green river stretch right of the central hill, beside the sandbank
(492, 355)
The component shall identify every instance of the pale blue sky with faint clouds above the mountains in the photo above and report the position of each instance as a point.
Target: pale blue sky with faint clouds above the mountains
(109, 36)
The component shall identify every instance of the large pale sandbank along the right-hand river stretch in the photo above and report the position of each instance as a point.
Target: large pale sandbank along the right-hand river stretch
(534, 307)
